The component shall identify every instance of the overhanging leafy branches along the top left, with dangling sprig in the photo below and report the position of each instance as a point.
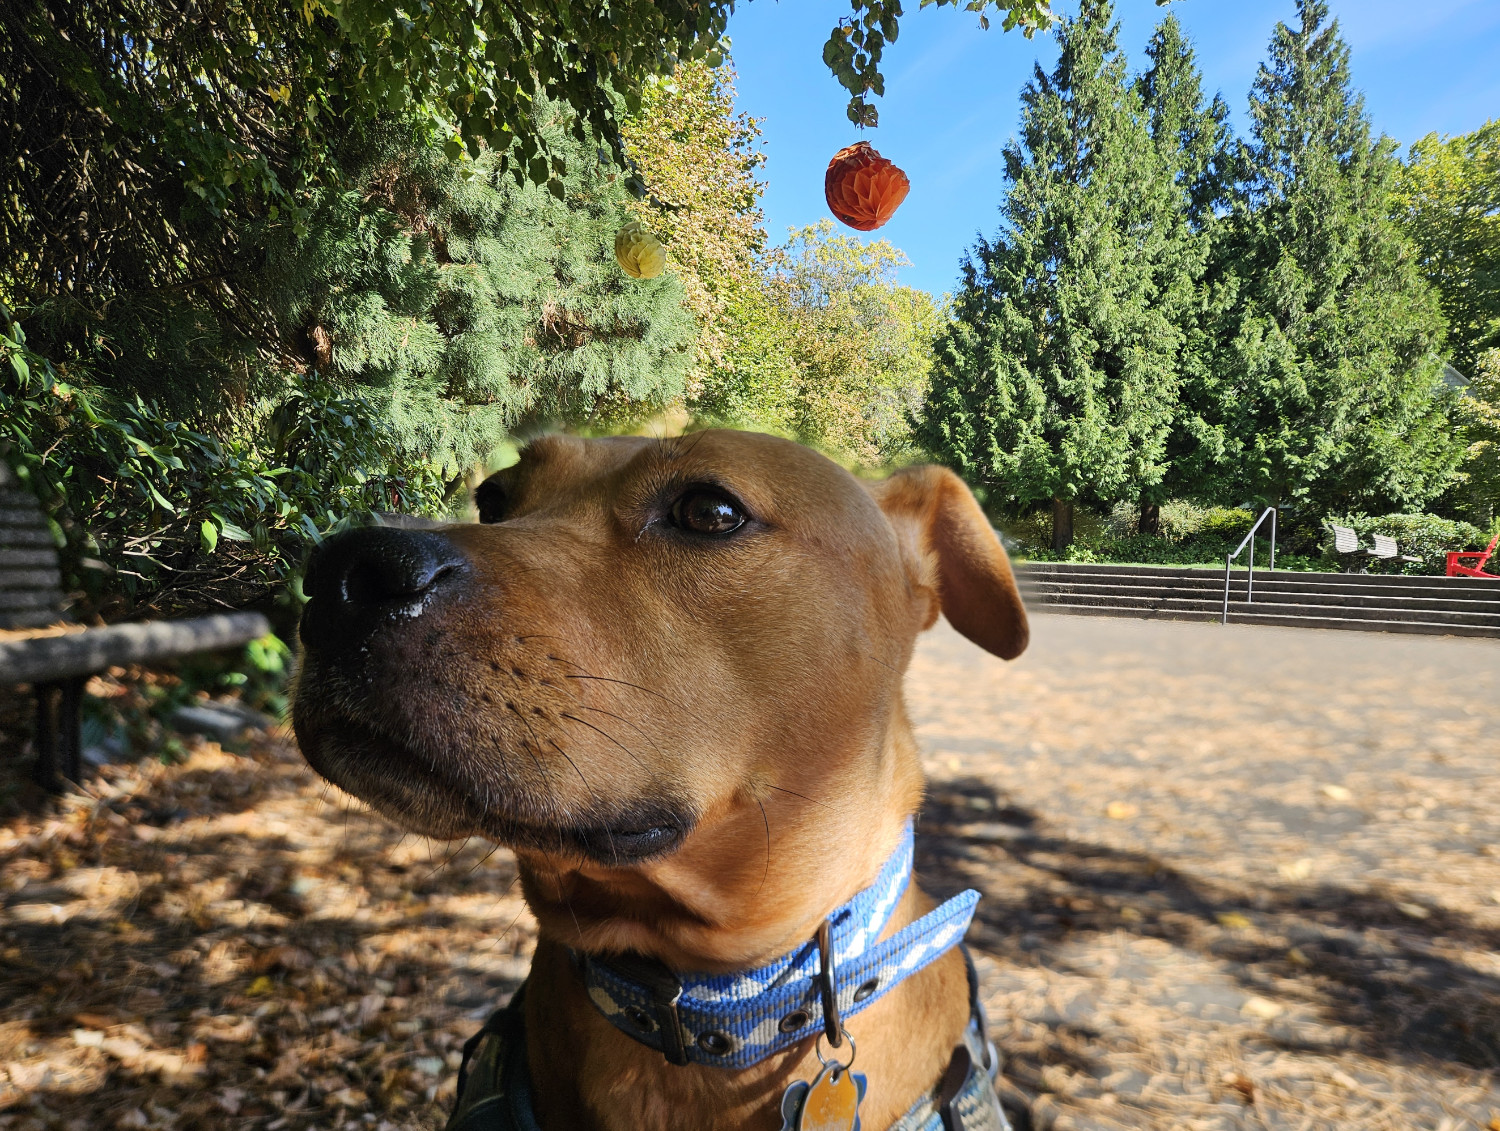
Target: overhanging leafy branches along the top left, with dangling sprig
(131, 131)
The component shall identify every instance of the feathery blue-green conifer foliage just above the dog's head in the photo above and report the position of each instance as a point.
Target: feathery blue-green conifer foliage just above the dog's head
(464, 305)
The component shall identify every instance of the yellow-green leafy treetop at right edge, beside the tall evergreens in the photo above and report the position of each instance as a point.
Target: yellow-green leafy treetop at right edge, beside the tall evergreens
(1448, 203)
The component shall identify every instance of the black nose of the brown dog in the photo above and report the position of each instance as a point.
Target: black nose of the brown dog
(362, 577)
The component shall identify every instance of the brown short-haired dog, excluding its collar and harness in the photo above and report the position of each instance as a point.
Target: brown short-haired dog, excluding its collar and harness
(668, 674)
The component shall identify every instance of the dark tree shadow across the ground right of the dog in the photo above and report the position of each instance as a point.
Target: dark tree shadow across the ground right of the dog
(1391, 977)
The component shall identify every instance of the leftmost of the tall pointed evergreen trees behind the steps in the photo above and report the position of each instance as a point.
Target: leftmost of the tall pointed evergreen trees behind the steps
(1058, 377)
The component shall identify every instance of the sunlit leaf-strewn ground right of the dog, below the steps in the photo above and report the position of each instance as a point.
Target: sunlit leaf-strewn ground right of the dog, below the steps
(1234, 877)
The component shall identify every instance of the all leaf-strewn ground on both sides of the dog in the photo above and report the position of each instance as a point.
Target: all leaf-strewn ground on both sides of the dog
(1234, 878)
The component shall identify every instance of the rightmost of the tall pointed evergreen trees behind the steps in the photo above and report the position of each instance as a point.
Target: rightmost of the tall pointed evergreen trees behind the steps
(1328, 362)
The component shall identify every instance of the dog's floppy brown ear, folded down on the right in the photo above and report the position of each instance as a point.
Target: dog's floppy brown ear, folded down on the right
(952, 553)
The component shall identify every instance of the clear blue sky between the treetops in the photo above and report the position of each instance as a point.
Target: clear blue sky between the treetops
(953, 97)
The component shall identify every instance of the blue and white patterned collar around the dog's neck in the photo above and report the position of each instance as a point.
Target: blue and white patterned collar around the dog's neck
(734, 1021)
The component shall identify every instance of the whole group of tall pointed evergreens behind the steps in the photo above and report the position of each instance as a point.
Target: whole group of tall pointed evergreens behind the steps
(1165, 317)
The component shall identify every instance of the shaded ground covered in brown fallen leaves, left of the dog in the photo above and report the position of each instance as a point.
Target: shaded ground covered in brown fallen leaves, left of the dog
(217, 946)
